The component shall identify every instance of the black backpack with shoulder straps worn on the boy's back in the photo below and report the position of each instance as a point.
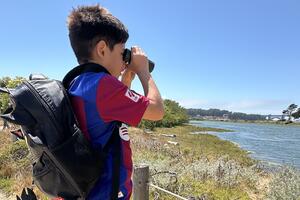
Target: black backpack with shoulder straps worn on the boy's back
(64, 162)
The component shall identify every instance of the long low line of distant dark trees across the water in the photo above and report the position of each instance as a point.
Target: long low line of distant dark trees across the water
(193, 113)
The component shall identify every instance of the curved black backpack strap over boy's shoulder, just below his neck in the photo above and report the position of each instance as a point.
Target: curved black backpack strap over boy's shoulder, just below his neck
(86, 67)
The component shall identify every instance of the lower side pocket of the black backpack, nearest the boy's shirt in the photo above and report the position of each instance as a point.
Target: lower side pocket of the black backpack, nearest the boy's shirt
(80, 160)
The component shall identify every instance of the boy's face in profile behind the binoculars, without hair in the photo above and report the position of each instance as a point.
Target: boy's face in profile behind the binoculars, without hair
(115, 63)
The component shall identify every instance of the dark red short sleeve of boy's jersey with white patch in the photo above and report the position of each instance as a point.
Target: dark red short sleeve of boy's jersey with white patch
(116, 102)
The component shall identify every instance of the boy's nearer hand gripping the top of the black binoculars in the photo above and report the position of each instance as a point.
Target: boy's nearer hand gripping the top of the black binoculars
(139, 61)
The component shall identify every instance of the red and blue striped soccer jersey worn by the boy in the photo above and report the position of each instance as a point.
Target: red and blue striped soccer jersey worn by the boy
(99, 100)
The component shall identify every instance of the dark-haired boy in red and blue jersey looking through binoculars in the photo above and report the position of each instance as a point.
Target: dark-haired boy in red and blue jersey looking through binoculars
(100, 99)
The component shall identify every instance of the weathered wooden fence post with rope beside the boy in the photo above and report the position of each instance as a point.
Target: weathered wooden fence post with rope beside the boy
(141, 182)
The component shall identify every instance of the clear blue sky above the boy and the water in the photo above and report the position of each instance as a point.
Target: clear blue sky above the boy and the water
(236, 55)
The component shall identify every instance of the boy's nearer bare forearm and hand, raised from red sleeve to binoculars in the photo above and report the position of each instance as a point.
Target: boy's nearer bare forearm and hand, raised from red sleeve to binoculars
(139, 65)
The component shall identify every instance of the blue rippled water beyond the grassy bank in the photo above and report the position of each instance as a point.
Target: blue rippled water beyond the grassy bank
(277, 144)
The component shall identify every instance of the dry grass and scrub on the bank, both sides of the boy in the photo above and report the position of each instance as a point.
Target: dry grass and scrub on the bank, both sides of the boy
(199, 167)
